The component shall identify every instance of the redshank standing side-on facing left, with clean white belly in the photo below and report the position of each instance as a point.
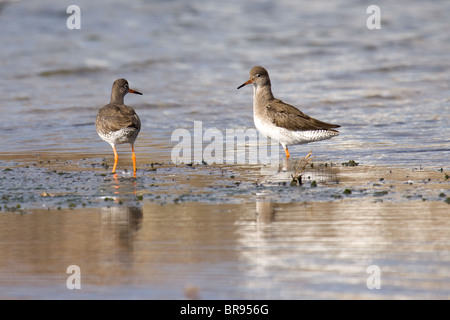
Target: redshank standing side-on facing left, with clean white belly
(281, 121)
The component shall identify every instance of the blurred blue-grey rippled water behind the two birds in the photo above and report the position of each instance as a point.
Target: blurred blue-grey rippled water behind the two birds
(388, 88)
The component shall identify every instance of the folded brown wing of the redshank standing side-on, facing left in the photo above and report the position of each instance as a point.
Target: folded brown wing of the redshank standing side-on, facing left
(289, 117)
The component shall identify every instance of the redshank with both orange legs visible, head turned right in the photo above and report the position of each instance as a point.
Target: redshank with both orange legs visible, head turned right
(117, 123)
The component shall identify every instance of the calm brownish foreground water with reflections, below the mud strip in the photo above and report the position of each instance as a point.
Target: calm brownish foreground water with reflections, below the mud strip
(259, 250)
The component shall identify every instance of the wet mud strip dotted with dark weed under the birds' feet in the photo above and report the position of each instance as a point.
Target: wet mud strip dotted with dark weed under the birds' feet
(57, 181)
